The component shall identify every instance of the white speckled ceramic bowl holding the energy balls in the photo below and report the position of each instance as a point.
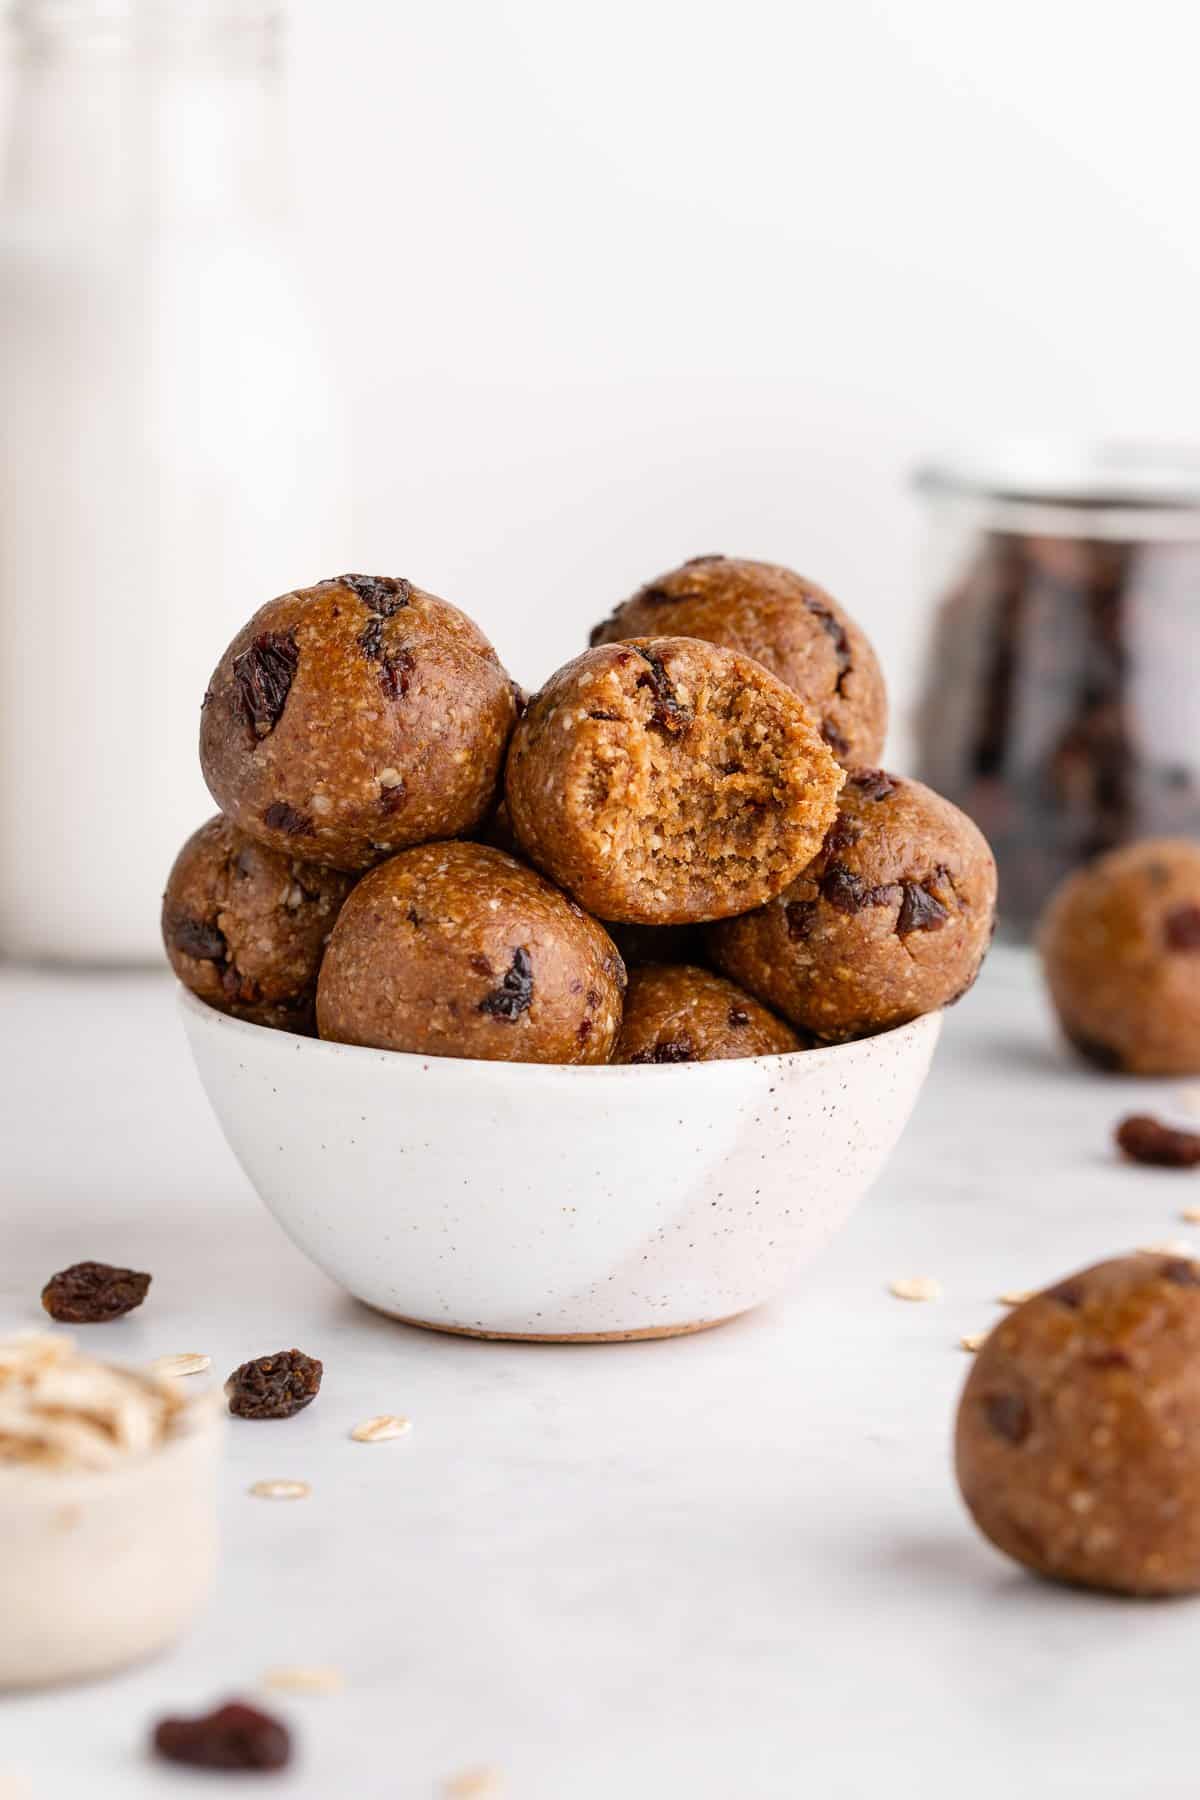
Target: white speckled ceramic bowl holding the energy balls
(568, 1203)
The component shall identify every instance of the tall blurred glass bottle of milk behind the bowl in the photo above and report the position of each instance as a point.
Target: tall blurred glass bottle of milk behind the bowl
(170, 449)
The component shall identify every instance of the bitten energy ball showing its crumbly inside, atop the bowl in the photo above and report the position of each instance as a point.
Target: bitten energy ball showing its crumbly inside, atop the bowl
(668, 782)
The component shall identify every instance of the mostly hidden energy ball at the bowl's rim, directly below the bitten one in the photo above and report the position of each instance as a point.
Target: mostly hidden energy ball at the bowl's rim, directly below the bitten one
(679, 1014)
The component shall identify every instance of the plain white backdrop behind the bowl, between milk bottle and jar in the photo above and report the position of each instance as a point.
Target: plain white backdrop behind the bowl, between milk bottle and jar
(618, 285)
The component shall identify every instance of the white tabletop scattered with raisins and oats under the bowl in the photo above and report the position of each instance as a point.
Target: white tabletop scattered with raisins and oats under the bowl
(731, 1567)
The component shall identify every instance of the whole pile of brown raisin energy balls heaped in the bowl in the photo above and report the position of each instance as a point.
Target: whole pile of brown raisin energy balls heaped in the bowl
(413, 858)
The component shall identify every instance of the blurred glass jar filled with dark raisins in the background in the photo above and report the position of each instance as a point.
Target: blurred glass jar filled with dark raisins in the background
(1062, 687)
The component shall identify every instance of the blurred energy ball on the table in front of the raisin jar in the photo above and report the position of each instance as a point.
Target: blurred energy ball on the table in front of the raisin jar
(1120, 948)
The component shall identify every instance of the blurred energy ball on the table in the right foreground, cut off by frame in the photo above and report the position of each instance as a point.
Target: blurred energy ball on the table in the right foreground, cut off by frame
(1079, 1434)
